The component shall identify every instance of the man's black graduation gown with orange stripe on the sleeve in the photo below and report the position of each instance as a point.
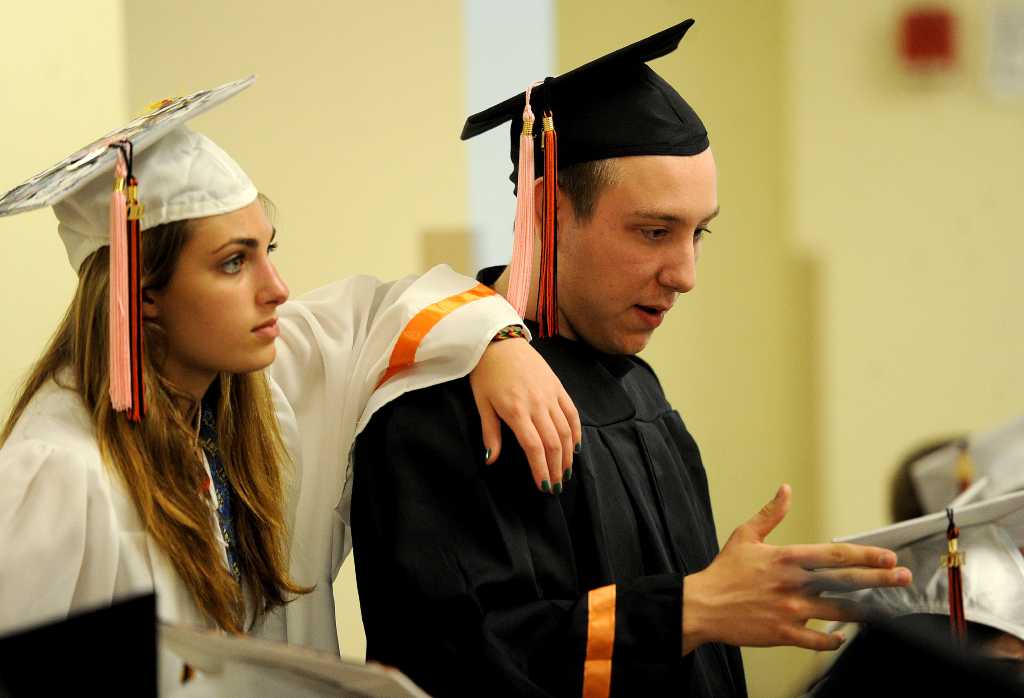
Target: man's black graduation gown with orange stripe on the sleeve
(474, 583)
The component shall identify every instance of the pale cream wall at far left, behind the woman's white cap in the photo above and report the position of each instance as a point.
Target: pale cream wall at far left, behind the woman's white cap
(49, 56)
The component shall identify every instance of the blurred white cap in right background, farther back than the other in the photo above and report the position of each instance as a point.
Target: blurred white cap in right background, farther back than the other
(997, 456)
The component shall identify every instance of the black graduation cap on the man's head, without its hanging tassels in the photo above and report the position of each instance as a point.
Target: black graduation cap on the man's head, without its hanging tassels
(614, 107)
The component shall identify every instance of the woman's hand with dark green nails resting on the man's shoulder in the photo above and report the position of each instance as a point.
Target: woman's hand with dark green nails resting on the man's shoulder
(515, 384)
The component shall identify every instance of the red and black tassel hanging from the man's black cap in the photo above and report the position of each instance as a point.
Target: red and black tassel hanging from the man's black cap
(547, 301)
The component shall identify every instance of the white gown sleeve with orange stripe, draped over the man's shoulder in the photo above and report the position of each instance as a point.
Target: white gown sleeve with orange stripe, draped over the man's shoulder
(335, 346)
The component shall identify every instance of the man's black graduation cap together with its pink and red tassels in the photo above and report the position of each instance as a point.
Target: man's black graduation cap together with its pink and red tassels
(614, 107)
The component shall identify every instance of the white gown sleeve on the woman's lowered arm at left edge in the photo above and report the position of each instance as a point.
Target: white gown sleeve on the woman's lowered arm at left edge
(59, 543)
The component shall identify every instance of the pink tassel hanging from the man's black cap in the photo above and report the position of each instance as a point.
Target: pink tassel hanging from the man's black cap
(523, 246)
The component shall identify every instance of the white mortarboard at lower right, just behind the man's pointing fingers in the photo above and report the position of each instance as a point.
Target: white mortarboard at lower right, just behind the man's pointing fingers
(993, 573)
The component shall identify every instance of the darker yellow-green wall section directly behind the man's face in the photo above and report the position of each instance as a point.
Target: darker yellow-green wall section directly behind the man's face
(734, 357)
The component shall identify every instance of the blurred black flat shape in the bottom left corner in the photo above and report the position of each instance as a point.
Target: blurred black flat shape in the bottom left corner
(109, 651)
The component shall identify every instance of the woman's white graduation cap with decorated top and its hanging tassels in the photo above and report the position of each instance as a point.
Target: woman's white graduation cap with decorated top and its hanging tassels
(161, 172)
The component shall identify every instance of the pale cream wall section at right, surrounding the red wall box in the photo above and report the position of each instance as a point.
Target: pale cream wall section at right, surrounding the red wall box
(909, 192)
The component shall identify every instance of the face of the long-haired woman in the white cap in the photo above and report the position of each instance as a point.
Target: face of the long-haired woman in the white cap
(220, 310)
